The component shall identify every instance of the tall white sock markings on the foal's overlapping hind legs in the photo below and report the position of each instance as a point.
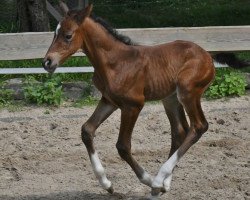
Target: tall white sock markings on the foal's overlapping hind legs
(165, 172)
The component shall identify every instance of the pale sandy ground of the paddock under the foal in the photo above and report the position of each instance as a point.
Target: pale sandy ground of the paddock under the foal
(42, 156)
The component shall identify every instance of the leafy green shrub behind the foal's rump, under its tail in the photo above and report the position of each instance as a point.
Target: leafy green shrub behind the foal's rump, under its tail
(227, 82)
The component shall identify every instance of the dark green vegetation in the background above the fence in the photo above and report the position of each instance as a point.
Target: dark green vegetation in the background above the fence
(150, 13)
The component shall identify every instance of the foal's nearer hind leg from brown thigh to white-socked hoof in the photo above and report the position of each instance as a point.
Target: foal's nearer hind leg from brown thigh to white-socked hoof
(193, 80)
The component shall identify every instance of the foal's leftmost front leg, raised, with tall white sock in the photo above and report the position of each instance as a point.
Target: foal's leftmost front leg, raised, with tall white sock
(101, 113)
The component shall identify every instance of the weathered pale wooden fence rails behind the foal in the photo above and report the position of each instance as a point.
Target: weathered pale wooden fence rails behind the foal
(20, 46)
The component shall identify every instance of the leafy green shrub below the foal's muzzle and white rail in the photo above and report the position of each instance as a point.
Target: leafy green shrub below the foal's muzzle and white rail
(49, 92)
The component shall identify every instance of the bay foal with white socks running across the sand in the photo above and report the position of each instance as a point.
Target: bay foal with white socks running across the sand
(127, 75)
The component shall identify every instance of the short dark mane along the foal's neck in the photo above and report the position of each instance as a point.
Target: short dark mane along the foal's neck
(124, 39)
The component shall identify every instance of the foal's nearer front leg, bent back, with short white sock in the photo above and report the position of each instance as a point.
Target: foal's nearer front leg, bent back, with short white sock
(129, 116)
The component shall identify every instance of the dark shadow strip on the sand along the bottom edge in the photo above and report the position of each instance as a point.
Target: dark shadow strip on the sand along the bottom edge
(74, 195)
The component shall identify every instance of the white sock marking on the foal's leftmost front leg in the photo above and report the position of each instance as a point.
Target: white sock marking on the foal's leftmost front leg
(99, 171)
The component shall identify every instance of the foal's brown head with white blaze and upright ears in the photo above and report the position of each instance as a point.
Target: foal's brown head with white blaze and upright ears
(68, 37)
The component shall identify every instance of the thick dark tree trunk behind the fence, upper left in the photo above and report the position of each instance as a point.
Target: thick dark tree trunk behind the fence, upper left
(32, 15)
